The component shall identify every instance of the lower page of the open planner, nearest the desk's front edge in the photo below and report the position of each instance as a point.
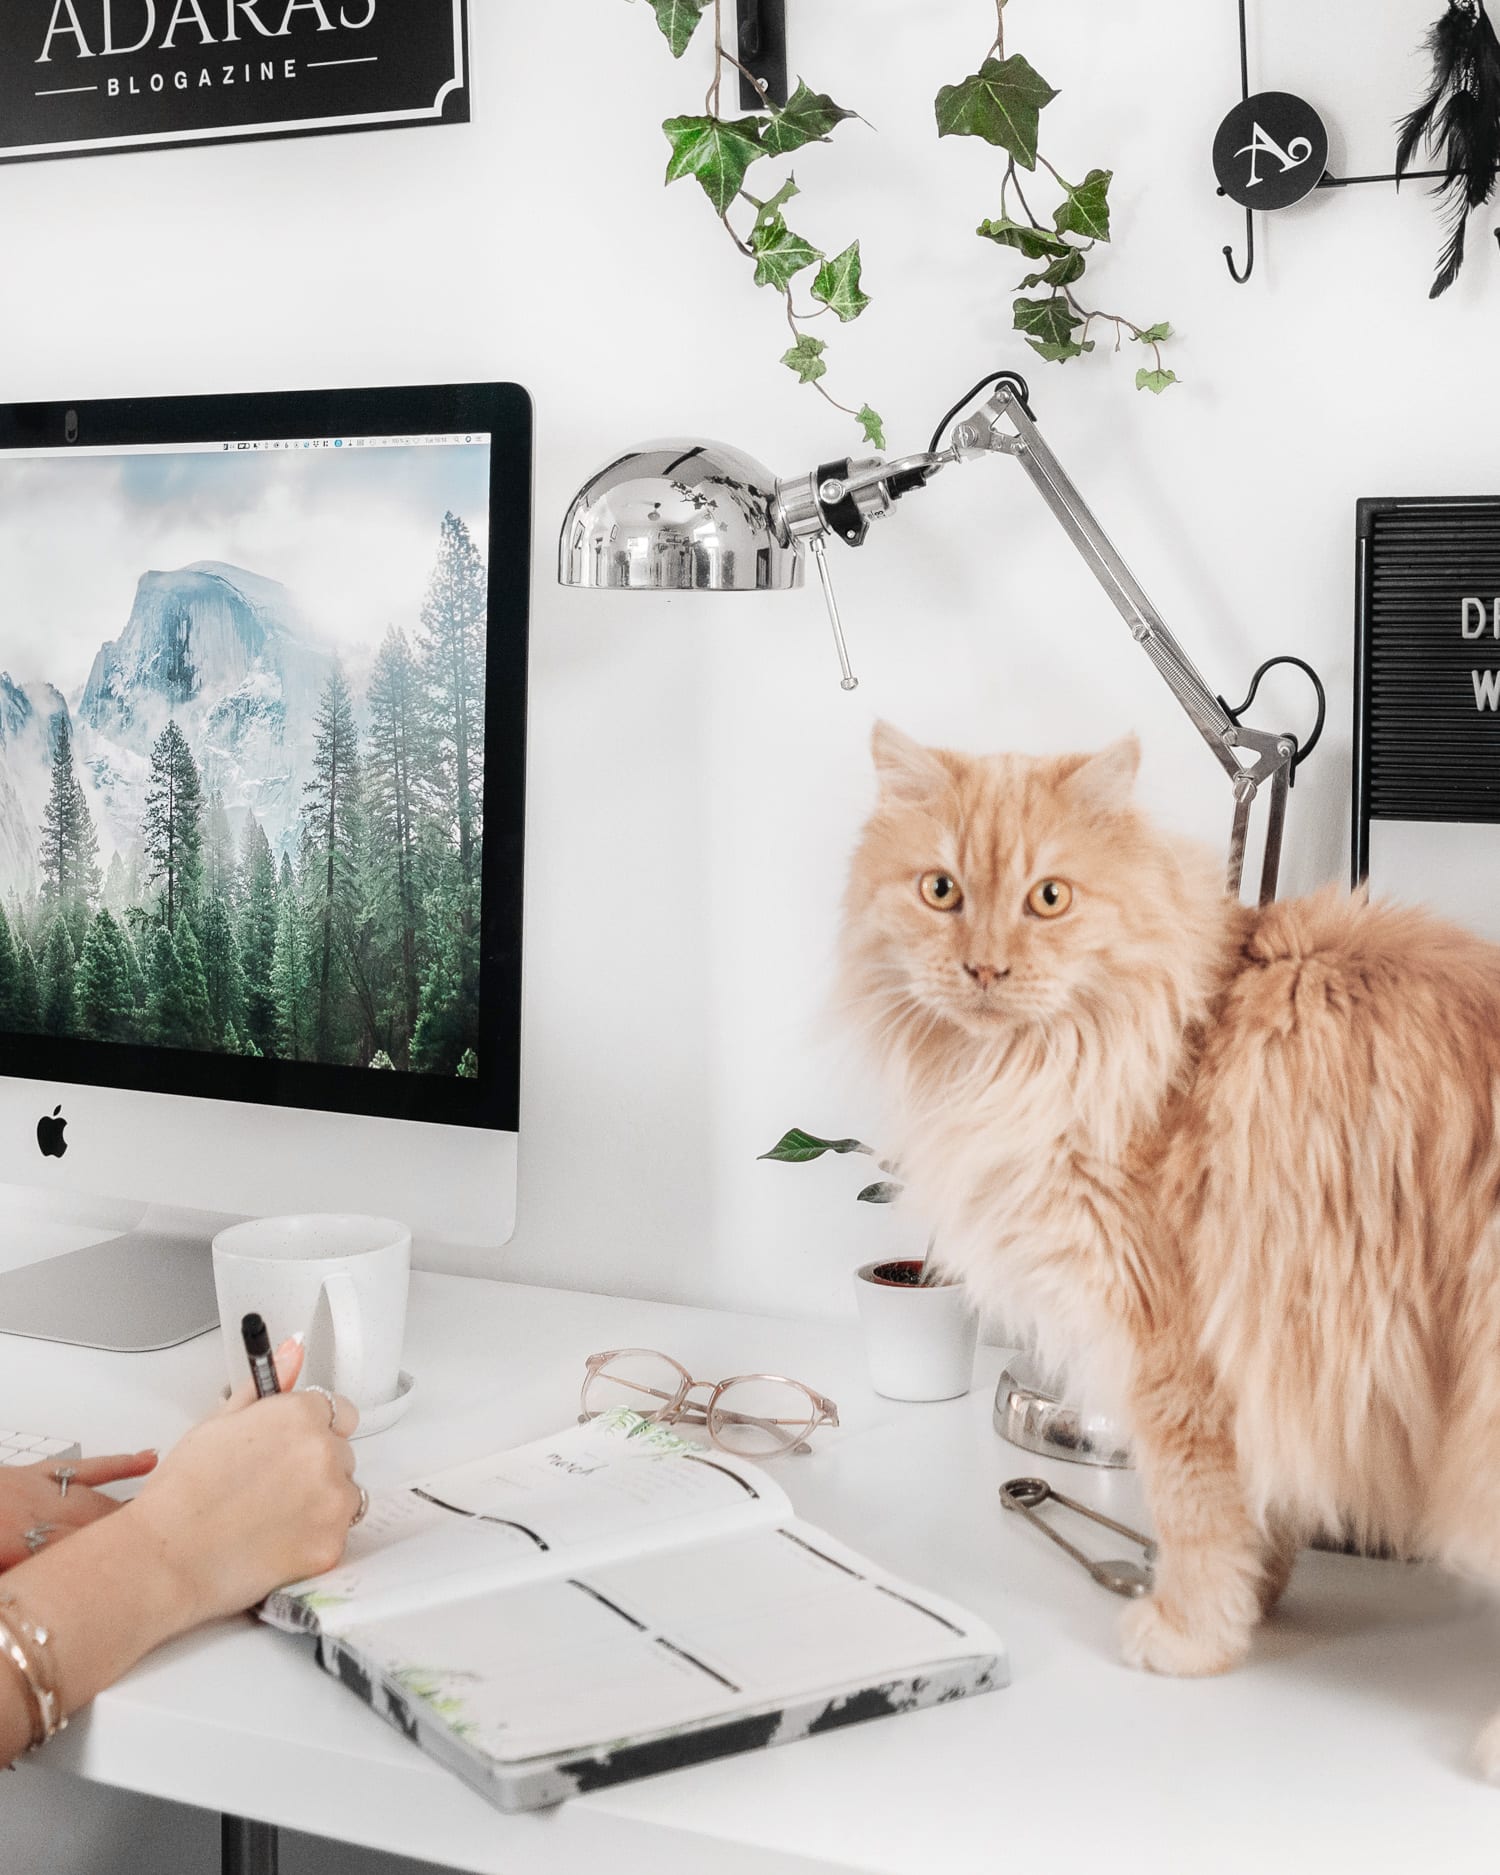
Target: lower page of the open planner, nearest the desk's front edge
(646, 1645)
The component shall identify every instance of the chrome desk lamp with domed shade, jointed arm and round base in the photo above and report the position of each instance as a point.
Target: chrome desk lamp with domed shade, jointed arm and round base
(689, 517)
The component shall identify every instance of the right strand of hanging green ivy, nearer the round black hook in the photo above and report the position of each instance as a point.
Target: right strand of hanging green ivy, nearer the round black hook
(1004, 104)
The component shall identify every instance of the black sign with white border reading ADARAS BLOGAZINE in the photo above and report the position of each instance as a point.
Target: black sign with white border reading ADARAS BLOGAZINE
(83, 78)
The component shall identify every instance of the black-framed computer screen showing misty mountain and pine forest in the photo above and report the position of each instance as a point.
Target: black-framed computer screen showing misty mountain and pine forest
(262, 727)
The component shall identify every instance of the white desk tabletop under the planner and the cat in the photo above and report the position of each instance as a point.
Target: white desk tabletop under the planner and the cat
(1340, 1747)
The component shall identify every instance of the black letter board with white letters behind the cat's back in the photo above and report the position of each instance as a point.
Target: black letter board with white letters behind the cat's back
(1426, 665)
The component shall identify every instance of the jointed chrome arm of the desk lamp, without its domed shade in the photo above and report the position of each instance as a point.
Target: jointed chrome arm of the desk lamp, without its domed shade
(1004, 427)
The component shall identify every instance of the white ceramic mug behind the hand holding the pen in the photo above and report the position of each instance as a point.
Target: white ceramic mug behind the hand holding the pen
(340, 1282)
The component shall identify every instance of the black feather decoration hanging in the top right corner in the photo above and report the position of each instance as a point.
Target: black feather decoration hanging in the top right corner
(1460, 121)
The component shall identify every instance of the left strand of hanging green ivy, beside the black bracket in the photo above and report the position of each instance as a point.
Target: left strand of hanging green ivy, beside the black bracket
(721, 153)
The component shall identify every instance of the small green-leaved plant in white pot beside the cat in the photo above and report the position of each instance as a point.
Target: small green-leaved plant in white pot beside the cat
(920, 1328)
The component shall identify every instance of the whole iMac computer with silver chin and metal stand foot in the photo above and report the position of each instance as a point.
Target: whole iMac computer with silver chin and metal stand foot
(263, 668)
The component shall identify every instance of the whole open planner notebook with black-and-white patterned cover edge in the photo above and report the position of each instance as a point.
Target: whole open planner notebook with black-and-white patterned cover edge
(618, 1602)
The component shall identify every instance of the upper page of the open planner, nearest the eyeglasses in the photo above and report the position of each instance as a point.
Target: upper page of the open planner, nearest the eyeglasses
(592, 1493)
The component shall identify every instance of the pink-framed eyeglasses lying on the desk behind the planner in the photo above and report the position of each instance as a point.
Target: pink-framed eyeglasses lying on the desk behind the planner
(755, 1417)
